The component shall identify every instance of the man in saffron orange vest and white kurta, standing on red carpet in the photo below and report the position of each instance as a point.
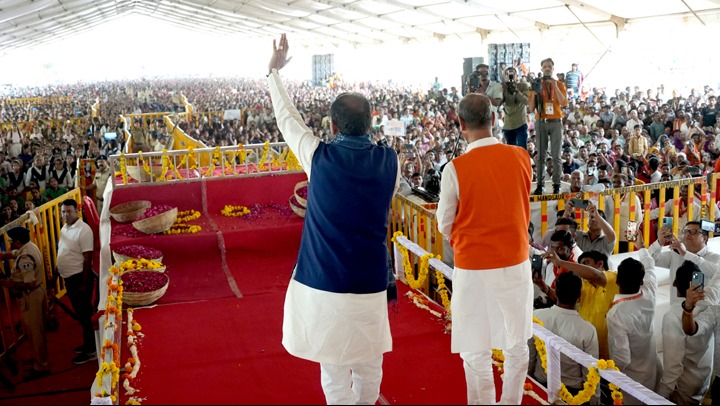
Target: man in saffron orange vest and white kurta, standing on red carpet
(492, 297)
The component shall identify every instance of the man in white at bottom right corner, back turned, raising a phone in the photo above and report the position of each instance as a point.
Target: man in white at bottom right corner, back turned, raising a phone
(687, 359)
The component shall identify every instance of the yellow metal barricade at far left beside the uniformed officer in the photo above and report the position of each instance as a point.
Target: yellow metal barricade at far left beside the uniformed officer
(44, 224)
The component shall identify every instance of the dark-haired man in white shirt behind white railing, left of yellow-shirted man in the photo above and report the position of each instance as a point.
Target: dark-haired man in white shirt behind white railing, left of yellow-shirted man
(564, 320)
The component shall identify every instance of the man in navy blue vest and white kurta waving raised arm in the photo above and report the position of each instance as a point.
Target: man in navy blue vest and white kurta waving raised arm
(336, 305)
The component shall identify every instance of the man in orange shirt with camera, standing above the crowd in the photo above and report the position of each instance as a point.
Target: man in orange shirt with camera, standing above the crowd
(547, 100)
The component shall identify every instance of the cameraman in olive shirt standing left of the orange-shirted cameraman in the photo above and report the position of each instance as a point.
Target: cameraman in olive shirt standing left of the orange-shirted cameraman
(515, 98)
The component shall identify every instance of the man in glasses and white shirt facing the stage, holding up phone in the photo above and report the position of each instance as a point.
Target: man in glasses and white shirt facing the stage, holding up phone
(692, 247)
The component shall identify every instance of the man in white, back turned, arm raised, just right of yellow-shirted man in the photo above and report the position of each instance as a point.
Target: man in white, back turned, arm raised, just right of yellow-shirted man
(630, 321)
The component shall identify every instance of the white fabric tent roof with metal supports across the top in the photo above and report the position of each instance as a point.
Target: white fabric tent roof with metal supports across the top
(25, 24)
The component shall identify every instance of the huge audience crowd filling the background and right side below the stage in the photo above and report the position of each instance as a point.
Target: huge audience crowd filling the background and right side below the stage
(610, 138)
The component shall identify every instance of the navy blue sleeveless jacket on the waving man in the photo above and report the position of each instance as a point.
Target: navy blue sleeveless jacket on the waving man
(344, 240)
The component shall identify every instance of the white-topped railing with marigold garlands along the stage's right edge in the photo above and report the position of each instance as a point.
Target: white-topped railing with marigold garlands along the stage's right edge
(554, 345)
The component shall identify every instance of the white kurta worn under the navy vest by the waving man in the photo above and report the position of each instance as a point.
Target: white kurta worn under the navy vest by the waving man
(325, 326)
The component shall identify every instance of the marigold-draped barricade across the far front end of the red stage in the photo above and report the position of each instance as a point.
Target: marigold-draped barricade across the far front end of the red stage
(187, 164)
